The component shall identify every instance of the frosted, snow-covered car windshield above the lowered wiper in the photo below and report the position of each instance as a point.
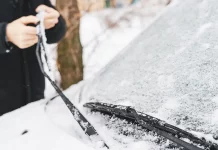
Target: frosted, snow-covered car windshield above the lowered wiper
(170, 70)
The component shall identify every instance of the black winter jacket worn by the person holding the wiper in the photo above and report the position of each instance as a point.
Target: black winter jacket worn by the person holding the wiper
(21, 80)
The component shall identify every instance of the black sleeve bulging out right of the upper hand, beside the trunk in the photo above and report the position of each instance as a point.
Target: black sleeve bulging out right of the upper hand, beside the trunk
(56, 33)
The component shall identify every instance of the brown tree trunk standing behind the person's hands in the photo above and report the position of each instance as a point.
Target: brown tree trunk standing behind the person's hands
(70, 63)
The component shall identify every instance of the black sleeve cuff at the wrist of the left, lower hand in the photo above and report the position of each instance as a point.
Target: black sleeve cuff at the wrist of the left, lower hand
(3, 46)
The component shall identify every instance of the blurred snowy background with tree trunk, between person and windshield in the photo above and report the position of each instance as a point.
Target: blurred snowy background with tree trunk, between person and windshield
(97, 30)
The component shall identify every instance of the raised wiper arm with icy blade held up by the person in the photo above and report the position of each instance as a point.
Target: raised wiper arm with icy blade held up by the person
(78, 116)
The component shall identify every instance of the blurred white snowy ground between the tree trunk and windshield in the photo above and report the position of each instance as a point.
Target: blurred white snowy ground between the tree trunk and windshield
(105, 33)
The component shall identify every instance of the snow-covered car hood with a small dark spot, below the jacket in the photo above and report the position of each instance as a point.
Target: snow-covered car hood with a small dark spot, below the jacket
(42, 133)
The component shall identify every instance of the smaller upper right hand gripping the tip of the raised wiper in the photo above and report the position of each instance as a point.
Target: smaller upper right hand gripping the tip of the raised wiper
(51, 16)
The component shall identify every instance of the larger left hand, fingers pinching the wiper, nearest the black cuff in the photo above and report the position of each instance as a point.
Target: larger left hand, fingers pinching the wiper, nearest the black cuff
(20, 34)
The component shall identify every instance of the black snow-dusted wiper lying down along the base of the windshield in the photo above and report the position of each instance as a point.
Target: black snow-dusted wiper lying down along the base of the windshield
(162, 128)
